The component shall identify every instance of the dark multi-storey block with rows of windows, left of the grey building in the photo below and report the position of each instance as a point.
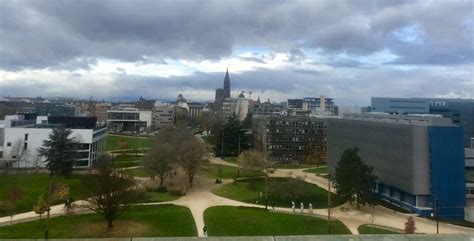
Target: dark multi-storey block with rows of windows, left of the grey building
(288, 139)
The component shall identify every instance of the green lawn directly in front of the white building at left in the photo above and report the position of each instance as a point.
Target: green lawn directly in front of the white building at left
(33, 185)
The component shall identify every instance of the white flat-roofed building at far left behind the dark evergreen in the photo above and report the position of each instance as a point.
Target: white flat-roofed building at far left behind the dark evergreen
(20, 139)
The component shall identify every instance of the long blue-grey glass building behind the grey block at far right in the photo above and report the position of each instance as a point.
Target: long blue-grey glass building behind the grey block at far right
(461, 111)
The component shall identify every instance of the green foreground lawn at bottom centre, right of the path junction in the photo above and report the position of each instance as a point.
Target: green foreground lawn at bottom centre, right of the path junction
(246, 221)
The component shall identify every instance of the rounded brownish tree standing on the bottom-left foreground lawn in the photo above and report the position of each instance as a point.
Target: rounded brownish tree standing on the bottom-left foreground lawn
(111, 193)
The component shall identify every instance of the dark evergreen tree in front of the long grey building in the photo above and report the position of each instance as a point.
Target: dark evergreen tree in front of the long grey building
(354, 179)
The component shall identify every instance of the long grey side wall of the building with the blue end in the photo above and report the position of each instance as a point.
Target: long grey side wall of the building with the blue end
(398, 152)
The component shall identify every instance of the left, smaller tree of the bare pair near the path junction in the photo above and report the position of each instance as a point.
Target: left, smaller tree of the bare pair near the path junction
(160, 160)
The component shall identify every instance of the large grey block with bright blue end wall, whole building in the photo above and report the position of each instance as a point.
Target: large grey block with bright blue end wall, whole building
(419, 160)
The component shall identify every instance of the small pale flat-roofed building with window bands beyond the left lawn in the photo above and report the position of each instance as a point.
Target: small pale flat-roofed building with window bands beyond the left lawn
(128, 120)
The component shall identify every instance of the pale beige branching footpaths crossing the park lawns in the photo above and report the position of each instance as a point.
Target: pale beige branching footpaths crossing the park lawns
(199, 198)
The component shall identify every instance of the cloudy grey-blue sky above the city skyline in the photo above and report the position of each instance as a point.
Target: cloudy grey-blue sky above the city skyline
(348, 50)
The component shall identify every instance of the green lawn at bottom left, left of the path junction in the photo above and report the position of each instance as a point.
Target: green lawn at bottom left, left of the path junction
(139, 221)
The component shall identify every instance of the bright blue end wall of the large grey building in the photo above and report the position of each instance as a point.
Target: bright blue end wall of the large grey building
(447, 171)
